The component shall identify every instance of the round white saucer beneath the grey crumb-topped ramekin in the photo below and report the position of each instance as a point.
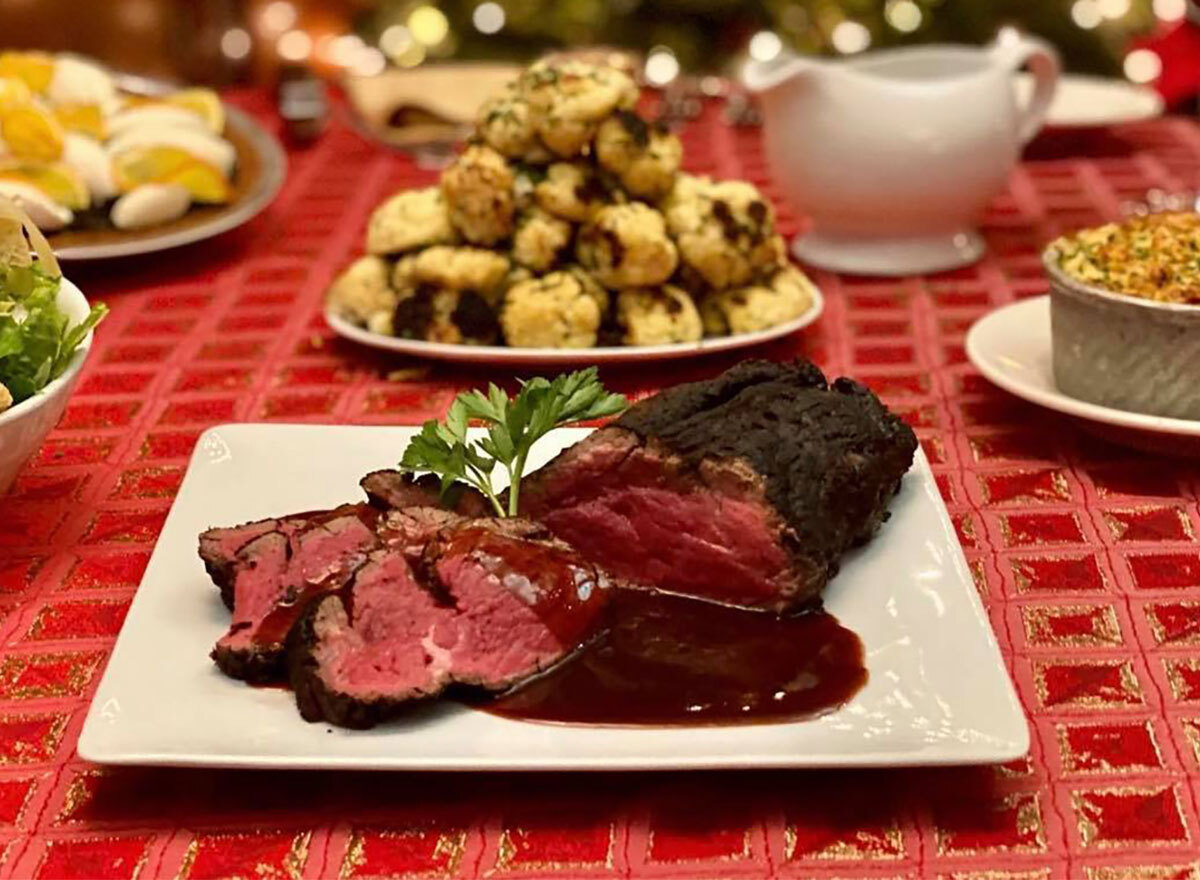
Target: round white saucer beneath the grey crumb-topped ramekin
(1011, 346)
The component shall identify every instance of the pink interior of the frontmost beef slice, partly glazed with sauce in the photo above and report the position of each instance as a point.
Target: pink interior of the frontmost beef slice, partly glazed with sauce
(512, 609)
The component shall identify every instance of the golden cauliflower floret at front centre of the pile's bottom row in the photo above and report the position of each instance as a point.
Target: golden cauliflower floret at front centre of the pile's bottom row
(554, 312)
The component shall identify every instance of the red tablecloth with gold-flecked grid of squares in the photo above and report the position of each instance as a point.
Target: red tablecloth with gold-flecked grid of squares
(1085, 554)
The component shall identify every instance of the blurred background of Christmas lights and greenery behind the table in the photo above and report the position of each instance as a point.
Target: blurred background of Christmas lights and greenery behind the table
(248, 41)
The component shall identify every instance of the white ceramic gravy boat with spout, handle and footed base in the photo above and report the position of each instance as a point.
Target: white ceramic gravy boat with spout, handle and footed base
(895, 155)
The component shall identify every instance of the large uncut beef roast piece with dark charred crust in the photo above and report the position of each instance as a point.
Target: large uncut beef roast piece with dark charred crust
(746, 489)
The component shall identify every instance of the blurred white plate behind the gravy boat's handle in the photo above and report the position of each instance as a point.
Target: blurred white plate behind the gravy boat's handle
(1090, 103)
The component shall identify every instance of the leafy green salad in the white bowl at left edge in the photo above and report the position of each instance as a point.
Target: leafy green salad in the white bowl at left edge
(37, 340)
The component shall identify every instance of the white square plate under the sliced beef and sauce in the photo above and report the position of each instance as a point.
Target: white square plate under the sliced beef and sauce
(938, 691)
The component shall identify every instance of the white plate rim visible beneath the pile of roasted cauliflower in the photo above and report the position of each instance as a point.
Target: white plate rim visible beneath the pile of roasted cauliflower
(536, 357)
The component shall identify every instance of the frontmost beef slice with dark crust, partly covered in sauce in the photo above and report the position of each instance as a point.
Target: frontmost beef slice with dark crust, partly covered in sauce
(488, 603)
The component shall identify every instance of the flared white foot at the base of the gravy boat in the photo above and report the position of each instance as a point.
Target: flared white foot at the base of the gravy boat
(890, 258)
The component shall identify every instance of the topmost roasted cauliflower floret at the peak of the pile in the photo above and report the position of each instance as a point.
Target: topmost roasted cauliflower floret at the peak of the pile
(571, 99)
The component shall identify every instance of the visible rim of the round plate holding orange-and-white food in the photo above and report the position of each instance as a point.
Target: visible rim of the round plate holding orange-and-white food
(262, 160)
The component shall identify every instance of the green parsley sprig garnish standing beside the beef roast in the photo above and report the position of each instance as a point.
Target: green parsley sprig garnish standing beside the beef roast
(513, 426)
